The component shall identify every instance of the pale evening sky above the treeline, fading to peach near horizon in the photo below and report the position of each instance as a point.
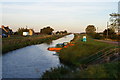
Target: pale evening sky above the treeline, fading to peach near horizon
(70, 15)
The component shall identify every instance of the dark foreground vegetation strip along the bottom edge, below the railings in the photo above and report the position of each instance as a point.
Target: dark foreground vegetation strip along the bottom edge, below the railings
(107, 70)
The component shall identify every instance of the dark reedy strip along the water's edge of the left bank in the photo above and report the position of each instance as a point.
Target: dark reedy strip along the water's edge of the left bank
(25, 44)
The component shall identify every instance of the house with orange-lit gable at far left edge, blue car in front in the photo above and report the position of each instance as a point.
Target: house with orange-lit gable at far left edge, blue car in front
(5, 31)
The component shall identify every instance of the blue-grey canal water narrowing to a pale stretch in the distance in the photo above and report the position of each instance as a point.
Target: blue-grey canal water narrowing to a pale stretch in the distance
(31, 61)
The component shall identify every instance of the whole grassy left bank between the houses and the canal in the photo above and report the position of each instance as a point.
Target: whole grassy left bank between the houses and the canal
(13, 43)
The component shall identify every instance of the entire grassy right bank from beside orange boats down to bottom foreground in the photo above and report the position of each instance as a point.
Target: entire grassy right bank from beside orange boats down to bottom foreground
(80, 59)
